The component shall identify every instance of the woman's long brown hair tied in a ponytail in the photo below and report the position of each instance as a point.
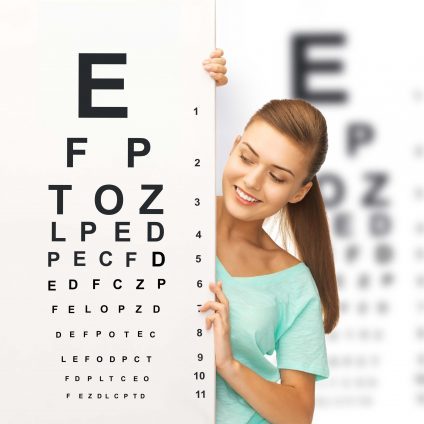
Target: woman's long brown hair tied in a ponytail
(305, 222)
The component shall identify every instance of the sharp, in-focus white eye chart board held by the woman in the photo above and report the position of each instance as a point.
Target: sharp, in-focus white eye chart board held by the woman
(107, 211)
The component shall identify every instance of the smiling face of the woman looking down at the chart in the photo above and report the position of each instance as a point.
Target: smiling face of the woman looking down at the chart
(256, 174)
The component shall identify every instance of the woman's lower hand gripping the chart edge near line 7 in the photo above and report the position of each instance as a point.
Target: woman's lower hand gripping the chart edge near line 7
(221, 326)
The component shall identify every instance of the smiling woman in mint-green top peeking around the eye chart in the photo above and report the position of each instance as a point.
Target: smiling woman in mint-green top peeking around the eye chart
(266, 299)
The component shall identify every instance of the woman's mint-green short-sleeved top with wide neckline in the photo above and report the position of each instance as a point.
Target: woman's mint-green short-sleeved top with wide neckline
(278, 312)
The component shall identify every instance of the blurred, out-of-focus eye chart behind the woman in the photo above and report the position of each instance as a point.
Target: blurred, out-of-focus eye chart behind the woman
(362, 64)
